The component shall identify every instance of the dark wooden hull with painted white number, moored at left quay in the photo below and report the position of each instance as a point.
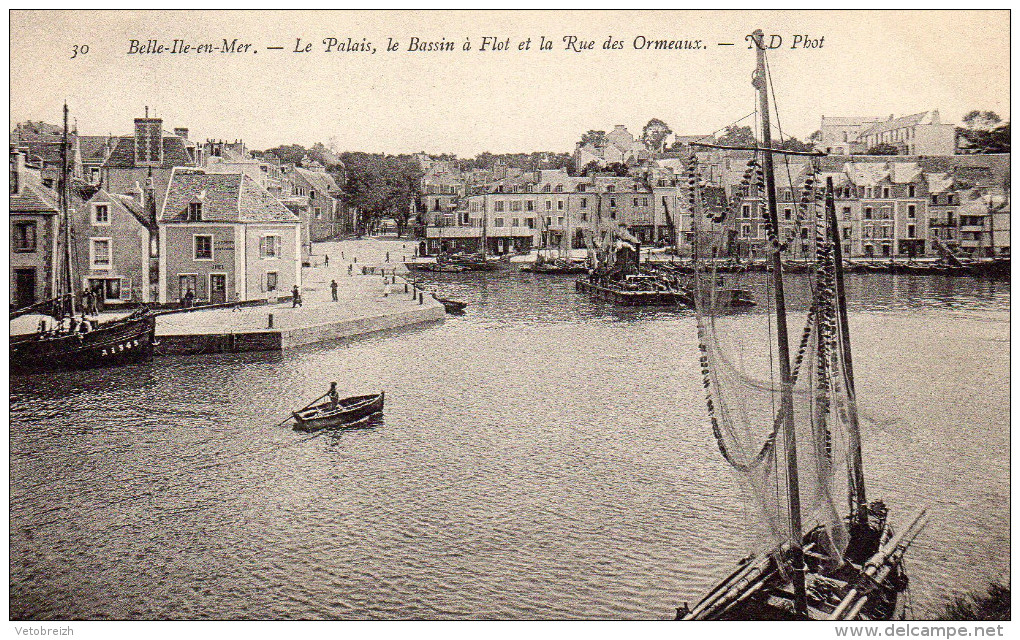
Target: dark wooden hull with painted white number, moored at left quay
(112, 344)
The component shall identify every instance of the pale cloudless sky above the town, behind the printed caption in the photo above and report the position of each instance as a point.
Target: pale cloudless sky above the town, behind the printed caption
(874, 64)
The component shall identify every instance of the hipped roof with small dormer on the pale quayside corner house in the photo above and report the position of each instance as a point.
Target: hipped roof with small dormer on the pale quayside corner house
(225, 199)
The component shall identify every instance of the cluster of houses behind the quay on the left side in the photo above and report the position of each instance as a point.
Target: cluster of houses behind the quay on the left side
(158, 218)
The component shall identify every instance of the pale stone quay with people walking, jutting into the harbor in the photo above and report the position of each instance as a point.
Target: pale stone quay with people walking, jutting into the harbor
(363, 308)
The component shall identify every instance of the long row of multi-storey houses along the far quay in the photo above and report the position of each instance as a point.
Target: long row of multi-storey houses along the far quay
(887, 209)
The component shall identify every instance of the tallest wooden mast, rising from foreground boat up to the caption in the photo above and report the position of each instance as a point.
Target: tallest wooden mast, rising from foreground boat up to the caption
(760, 83)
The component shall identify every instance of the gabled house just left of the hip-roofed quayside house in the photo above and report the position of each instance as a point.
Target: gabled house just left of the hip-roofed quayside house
(116, 241)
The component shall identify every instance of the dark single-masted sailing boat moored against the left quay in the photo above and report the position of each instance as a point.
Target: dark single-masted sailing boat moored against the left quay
(70, 348)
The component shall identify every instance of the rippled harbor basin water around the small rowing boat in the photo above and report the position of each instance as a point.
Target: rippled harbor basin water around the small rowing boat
(543, 457)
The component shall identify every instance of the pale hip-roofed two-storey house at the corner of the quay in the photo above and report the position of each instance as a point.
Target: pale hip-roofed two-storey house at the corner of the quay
(224, 235)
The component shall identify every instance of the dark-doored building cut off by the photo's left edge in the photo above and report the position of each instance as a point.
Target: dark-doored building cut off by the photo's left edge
(34, 213)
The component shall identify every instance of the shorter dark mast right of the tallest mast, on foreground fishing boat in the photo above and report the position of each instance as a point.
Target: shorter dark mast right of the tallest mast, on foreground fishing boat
(859, 502)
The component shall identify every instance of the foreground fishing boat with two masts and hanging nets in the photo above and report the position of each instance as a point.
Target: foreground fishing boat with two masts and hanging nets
(791, 453)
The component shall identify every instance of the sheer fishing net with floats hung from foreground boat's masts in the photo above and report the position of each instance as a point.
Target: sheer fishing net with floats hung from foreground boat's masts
(779, 442)
